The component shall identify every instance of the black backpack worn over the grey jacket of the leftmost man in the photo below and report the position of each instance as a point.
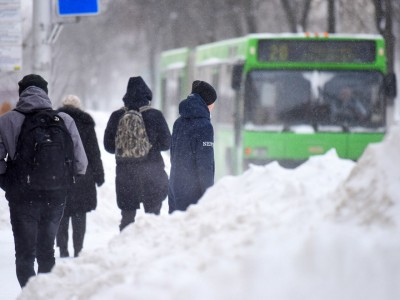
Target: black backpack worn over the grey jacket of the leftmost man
(44, 157)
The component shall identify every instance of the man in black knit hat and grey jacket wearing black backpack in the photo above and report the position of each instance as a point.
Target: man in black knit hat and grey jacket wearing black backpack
(41, 154)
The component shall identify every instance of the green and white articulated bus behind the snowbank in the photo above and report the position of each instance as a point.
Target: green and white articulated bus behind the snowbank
(285, 97)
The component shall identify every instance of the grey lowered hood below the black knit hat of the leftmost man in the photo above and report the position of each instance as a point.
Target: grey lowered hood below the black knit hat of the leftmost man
(33, 98)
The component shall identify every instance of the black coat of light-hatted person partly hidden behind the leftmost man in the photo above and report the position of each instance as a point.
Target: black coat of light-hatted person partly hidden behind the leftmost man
(83, 197)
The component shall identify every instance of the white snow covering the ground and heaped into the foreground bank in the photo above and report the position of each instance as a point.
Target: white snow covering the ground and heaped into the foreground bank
(326, 230)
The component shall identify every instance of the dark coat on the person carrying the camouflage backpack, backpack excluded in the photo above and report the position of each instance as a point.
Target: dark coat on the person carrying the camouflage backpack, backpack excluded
(144, 181)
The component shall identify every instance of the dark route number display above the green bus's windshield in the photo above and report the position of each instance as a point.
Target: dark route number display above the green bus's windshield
(332, 51)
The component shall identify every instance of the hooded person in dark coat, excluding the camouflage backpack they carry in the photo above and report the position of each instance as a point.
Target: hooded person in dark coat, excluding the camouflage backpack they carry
(142, 181)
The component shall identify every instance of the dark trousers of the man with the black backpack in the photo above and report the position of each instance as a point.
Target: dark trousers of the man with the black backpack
(34, 226)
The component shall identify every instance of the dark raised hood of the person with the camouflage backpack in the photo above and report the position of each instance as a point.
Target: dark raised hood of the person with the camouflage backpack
(137, 94)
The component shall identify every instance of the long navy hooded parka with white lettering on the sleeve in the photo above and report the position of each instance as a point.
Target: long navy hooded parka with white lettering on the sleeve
(192, 154)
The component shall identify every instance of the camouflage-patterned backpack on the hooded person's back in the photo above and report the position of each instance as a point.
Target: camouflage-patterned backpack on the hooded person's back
(131, 140)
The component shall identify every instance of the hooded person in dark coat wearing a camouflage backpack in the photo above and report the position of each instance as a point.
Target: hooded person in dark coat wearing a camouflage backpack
(136, 134)
